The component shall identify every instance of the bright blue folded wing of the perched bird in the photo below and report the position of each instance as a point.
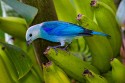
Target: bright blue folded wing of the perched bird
(60, 28)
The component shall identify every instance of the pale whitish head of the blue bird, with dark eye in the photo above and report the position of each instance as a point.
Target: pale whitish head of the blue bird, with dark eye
(33, 33)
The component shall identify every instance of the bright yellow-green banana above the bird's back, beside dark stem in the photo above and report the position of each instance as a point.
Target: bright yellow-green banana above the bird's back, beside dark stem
(65, 5)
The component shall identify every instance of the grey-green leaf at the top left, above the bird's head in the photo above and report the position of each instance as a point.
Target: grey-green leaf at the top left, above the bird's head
(26, 11)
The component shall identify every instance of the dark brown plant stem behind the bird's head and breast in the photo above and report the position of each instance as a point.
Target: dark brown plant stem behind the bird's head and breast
(46, 12)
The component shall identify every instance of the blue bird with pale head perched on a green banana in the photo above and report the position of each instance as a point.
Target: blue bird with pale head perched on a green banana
(58, 31)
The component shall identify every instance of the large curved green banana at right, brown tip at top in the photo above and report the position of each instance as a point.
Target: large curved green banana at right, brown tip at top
(105, 18)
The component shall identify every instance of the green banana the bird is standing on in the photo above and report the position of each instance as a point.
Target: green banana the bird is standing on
(71, 64)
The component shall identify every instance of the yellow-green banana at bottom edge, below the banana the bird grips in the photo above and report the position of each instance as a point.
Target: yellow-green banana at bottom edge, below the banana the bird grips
(53, 74)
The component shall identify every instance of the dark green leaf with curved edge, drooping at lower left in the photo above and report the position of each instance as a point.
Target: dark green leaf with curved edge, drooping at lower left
(19, 58)
